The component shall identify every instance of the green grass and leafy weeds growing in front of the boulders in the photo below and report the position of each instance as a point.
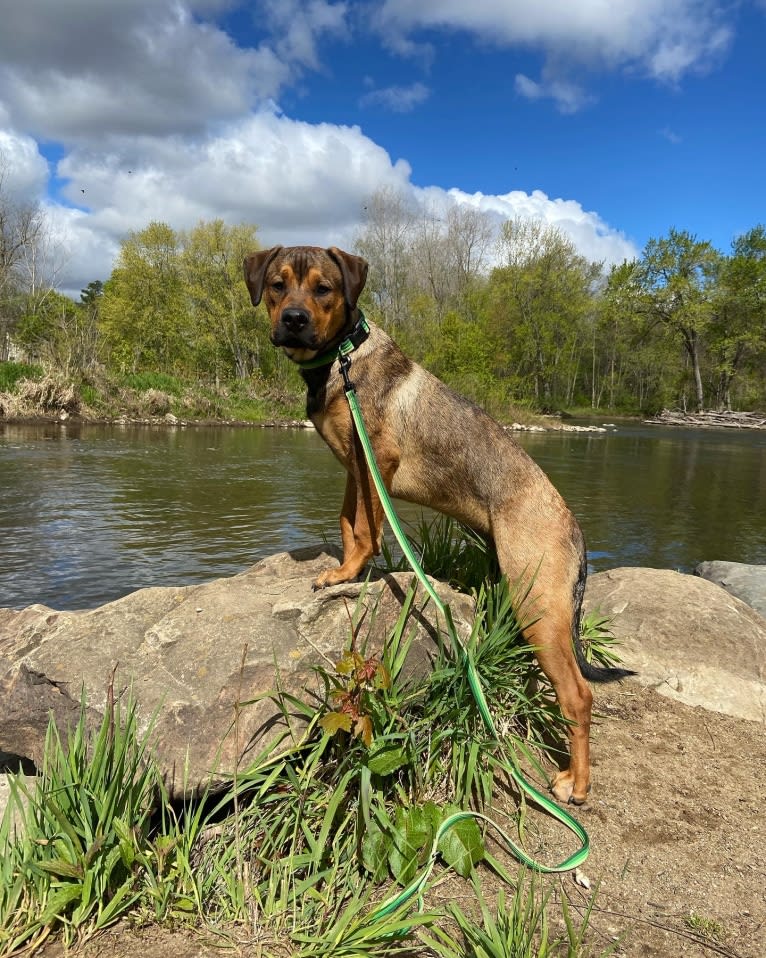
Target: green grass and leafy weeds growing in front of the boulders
(307, 851)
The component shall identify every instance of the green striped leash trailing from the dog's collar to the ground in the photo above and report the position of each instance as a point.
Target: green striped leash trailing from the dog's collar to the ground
(460, 650)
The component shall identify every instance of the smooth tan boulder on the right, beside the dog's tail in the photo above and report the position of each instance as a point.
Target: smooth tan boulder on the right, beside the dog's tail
(686, 637)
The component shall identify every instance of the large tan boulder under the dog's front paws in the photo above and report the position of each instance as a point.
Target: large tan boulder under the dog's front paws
(192, 654)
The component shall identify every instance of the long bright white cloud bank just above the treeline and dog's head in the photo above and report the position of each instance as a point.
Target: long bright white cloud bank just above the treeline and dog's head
(298, 182)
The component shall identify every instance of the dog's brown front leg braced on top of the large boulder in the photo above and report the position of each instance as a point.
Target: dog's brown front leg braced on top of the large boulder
(361, 524)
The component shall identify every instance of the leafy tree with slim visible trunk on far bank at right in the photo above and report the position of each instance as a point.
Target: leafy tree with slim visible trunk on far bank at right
(677, 276)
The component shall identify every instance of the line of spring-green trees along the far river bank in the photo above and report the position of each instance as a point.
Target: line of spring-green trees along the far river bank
(514, 315)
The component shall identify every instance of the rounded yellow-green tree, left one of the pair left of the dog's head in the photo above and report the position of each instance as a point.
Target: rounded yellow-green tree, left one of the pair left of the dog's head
(143, 314)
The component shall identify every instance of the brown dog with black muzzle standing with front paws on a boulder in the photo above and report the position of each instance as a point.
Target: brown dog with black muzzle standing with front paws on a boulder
(436, 449)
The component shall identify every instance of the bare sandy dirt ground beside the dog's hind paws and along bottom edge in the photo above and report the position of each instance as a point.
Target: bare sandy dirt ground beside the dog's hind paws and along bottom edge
(677, 830)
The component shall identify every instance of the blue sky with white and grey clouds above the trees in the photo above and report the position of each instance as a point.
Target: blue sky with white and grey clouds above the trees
(613, 120)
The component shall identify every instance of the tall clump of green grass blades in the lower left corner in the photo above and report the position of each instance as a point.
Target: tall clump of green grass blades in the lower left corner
(71, 840)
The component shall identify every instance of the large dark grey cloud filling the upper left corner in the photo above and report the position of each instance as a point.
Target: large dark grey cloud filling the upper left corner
(143, 67)
